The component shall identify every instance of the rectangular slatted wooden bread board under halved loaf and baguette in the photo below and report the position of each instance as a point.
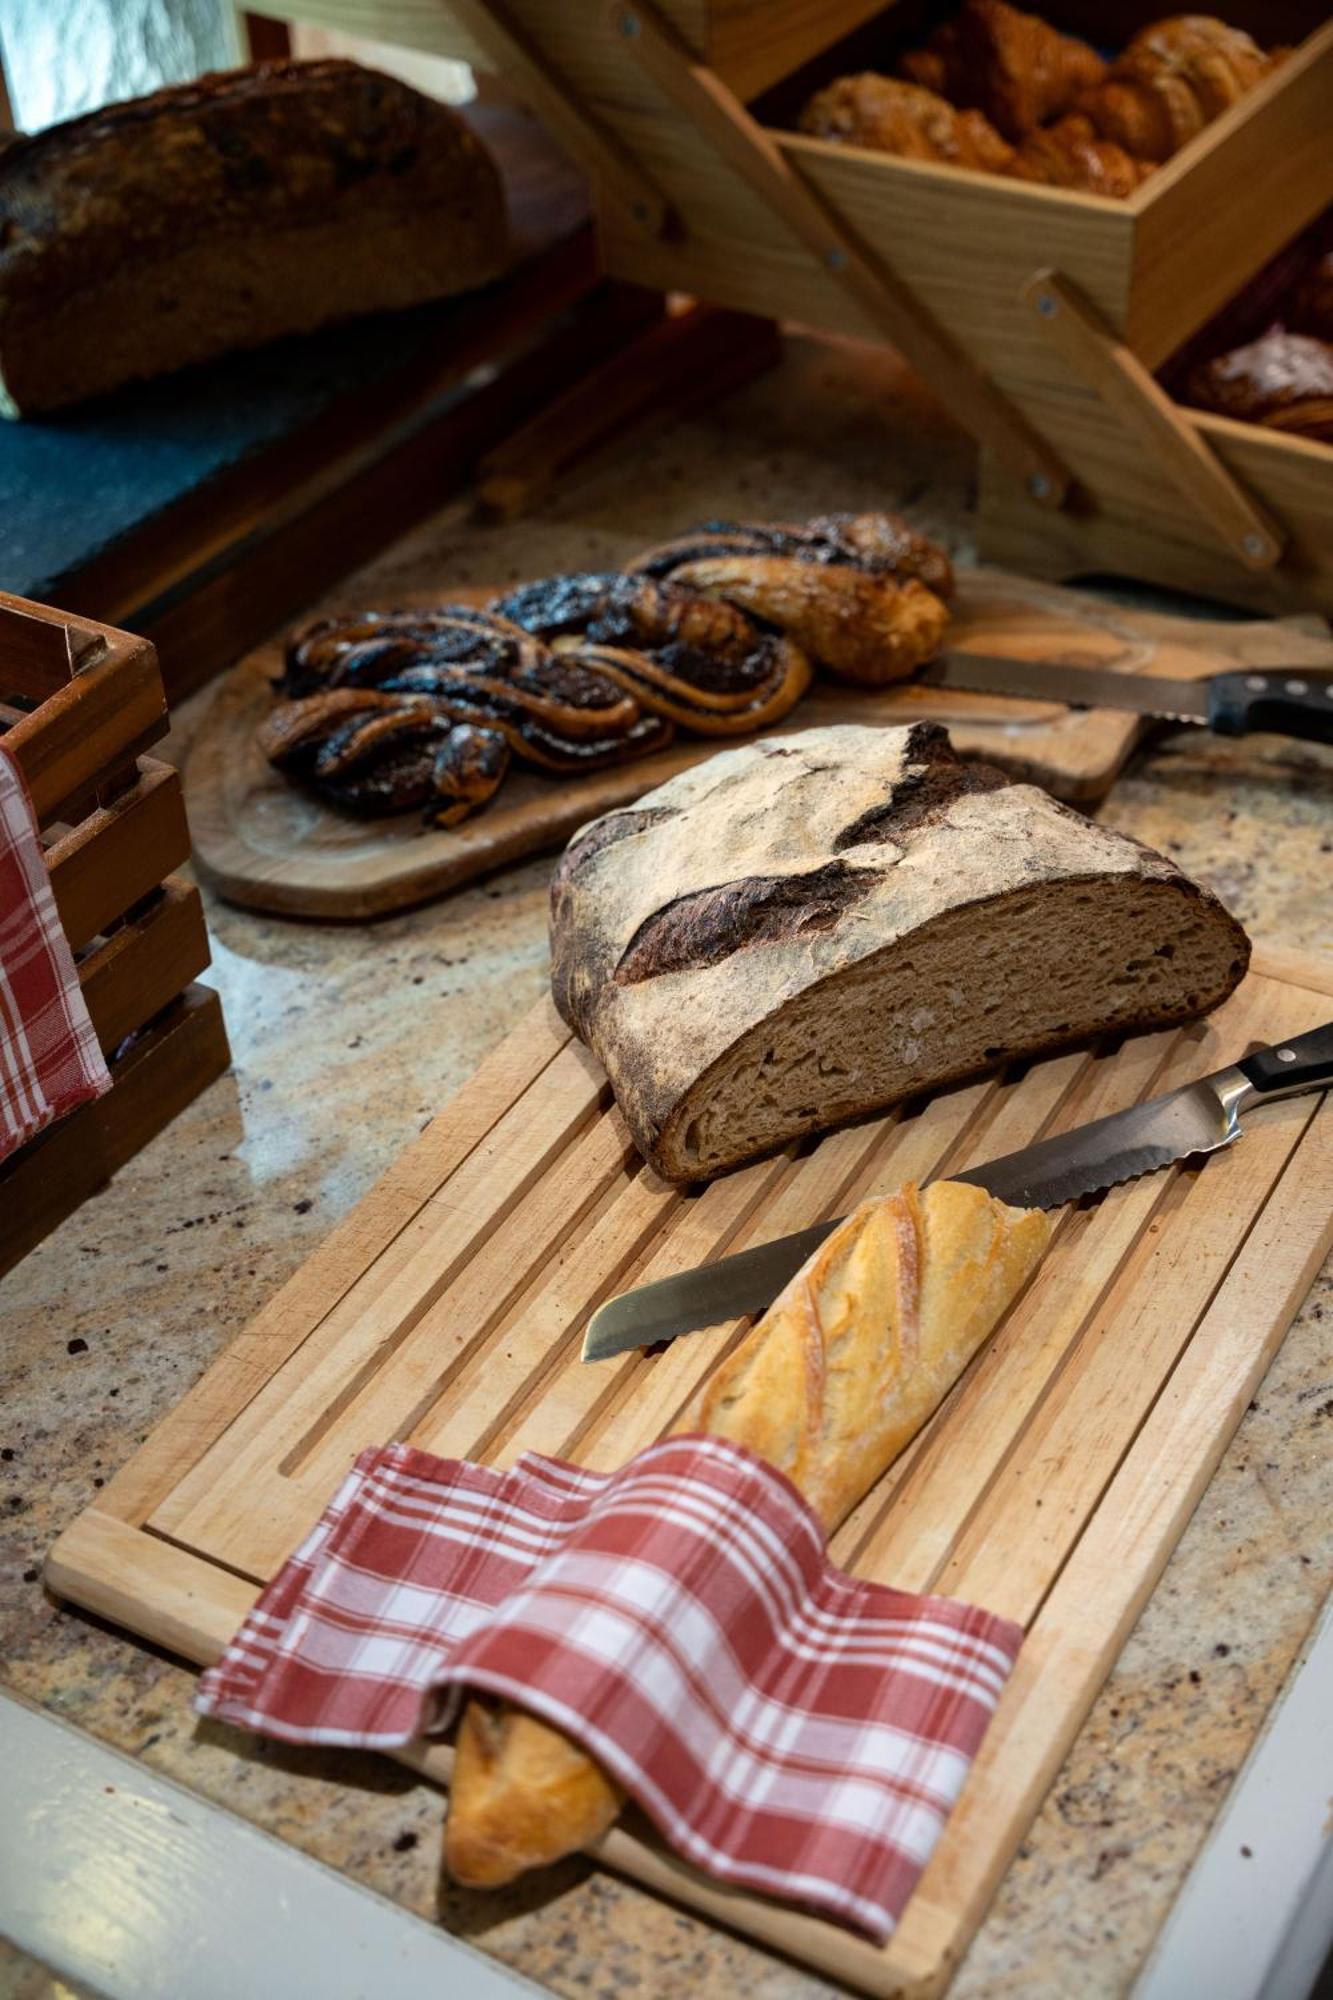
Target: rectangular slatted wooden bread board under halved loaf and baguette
(1052, 1487)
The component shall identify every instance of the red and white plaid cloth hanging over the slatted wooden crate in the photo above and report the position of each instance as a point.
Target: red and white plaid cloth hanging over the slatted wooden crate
(49, 1055)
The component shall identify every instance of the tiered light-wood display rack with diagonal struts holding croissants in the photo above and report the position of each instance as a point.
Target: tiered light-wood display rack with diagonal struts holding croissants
(1036, 313)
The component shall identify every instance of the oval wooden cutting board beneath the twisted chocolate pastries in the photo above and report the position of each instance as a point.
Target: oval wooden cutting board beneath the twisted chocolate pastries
(271, 847)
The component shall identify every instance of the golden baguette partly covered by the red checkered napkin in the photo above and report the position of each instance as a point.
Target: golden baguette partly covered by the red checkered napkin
(832, 1385)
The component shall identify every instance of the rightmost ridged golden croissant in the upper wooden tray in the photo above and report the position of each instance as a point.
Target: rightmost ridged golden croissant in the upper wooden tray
(1172, 81)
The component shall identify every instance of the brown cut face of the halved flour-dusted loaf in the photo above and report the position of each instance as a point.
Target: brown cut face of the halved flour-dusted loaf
(980, 987)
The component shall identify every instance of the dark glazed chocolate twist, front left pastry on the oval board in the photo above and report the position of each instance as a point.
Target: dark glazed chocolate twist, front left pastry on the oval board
(423, 711)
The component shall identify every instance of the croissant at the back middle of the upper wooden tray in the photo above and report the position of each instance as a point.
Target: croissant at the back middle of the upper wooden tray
(1010, 65)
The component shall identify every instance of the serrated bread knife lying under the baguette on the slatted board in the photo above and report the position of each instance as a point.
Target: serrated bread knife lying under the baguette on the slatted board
(1184, 1125)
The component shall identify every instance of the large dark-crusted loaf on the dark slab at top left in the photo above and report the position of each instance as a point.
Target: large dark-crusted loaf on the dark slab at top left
(225, 213)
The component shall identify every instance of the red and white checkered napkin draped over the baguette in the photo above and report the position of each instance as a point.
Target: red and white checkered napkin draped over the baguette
(784, 1727)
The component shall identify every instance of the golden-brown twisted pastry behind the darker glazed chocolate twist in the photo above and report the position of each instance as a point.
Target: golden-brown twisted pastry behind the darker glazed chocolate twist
(860, 593)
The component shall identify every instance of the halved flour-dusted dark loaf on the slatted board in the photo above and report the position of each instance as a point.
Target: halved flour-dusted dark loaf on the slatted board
(810, 929)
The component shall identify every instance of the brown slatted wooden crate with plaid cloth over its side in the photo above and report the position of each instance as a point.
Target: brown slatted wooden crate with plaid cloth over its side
(79, 703)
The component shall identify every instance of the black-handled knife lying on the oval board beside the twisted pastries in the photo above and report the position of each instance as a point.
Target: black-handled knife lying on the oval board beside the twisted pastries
(1292, 701)
